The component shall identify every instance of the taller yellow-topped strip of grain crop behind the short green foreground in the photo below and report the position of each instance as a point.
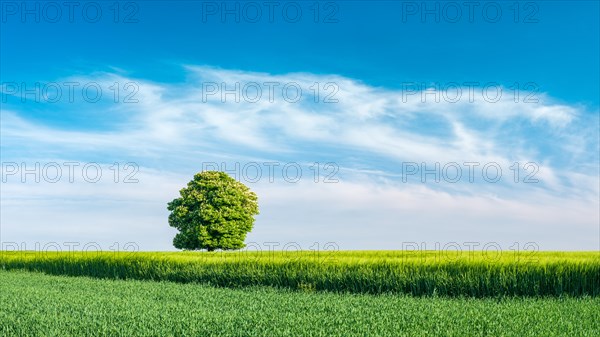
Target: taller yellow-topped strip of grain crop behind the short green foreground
(475, 274)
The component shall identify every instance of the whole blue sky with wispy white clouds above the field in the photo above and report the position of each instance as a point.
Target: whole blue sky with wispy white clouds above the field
(372, 62)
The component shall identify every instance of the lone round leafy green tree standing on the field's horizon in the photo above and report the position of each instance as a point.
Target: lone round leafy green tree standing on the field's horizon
(214, 212)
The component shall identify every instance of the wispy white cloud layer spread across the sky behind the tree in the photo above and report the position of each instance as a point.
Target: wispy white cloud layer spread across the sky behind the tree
(171, 131)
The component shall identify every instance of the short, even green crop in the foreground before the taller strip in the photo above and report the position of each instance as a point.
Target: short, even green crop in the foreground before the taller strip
(35, 304)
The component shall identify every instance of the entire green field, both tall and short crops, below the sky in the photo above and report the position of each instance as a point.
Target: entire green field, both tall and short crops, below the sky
(359, 293)
